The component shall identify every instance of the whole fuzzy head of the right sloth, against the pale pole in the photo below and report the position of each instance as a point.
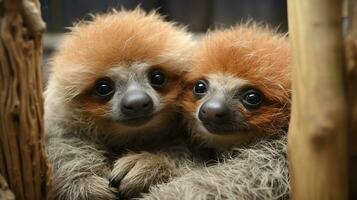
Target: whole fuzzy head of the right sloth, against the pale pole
(239, 86)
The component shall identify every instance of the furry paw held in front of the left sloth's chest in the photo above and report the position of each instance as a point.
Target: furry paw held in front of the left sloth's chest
(136, 172)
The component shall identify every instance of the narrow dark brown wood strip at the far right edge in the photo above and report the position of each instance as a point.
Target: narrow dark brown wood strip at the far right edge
(351, 72)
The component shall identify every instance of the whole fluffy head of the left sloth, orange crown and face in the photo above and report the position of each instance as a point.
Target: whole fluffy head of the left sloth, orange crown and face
(118, 73)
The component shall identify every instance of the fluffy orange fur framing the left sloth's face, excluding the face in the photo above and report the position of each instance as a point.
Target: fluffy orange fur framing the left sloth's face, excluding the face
(118, 39)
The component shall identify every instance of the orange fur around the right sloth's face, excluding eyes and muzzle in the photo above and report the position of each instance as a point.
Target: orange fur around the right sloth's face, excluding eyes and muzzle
(255, 54)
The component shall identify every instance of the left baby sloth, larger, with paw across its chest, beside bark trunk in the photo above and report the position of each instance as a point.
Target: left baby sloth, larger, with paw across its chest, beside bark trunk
(113, 86)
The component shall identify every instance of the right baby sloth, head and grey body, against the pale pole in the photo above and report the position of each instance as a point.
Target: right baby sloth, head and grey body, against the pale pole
(237, 102)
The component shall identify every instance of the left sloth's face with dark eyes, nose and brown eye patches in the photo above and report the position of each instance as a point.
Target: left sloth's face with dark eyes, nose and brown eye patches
(131, 95)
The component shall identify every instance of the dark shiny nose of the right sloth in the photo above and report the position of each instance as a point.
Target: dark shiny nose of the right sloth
(214, 110)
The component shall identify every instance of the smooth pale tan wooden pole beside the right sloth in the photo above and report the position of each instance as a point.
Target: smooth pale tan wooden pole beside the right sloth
(317, 137)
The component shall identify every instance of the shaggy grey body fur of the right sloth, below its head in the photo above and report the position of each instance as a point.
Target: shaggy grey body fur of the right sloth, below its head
(257, 172)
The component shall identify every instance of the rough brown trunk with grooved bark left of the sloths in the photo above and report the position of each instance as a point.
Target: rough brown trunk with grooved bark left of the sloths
(23, 161)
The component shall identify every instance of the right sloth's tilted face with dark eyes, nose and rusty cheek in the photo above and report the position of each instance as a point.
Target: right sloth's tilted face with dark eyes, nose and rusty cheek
(225, 109)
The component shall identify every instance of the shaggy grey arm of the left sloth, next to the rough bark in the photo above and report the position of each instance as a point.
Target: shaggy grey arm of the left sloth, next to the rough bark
(80, 168)
